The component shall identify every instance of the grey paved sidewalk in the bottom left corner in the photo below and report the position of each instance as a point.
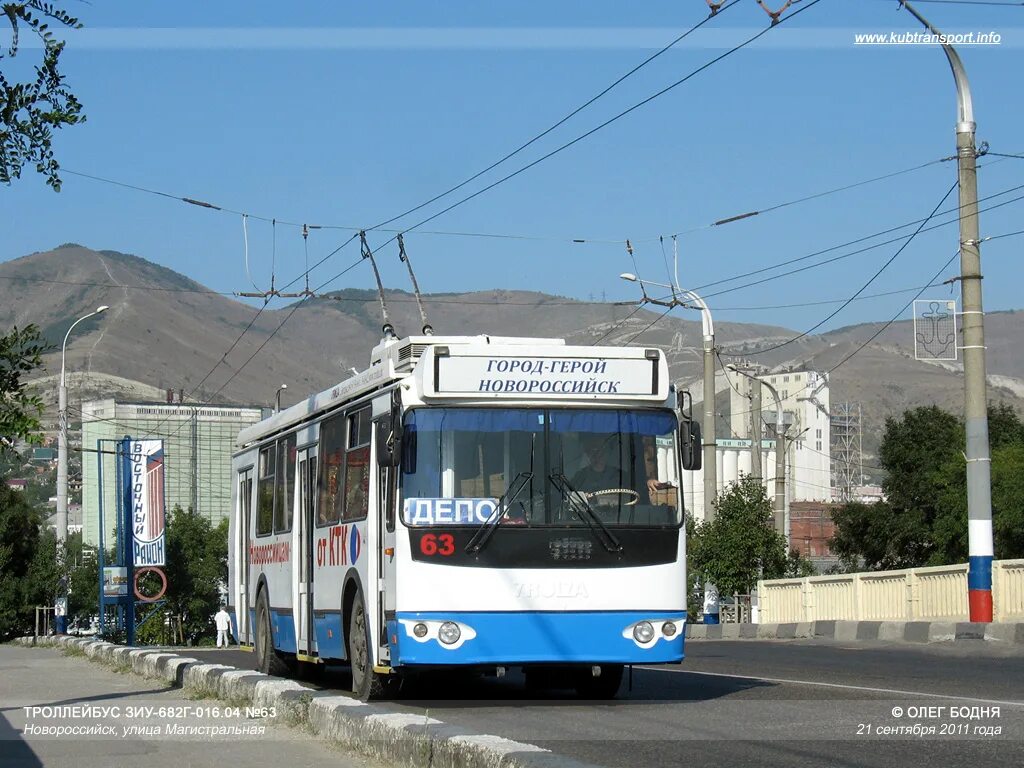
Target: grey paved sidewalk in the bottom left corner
(84, 711)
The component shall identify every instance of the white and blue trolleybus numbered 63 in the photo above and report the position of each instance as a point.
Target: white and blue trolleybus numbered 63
(470, 502)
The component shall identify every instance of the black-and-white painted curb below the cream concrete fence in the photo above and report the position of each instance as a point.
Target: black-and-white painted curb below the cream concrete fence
(905, 632)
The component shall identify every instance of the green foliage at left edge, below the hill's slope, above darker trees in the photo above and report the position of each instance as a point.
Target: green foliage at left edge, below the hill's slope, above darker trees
(21, 354)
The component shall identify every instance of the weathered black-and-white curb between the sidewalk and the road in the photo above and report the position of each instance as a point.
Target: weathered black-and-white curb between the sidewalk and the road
(396, 738)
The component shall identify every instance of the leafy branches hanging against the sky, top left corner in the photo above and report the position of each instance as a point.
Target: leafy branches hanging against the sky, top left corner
(33, 109)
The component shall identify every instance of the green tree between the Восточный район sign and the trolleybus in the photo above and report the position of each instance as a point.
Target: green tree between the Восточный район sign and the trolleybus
(197, 571)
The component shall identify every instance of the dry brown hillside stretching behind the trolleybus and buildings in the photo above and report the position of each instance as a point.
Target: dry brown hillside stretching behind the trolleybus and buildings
(165, 331)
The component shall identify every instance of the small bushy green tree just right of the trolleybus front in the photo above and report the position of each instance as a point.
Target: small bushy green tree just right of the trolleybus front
(741, 545)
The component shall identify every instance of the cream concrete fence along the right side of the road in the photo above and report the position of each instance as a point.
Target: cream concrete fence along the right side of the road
(911, 595)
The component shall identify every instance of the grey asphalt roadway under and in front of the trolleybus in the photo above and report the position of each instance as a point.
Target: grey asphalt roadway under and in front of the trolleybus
(758, 704)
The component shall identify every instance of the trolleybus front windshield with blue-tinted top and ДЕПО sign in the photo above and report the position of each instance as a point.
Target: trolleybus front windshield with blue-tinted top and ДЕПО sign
(458, 462)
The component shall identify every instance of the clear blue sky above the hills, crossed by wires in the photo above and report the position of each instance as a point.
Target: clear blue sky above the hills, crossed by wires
(351, 113)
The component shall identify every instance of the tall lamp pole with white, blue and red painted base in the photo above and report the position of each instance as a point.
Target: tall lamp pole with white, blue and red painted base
(979, 491)
